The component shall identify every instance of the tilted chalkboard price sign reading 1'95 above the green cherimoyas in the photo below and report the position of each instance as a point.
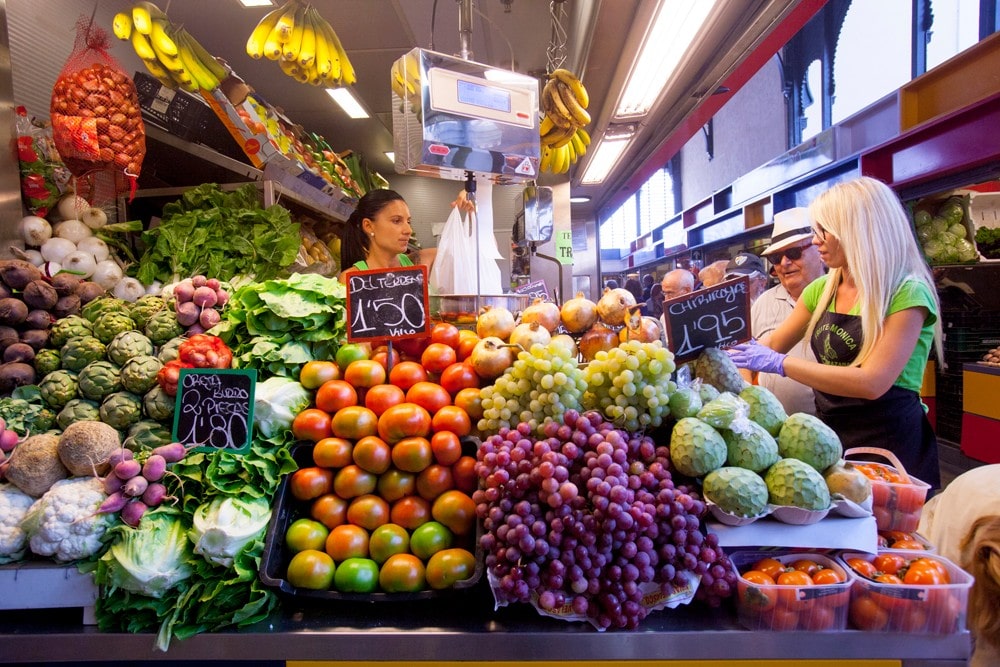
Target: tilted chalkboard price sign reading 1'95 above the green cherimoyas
(717, 316)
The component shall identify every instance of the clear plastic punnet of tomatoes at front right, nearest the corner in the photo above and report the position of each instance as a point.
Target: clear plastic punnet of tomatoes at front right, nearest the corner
(900, 590)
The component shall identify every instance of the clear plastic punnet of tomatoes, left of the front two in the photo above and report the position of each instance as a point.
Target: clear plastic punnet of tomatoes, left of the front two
(781, 591)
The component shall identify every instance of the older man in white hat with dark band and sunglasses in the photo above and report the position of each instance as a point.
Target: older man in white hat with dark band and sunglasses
(795, 261)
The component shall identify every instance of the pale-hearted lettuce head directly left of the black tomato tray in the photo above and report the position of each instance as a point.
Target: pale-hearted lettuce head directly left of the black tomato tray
(225, 525)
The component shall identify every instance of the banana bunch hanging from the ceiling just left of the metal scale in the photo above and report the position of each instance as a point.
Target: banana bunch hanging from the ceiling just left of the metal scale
(304, 45)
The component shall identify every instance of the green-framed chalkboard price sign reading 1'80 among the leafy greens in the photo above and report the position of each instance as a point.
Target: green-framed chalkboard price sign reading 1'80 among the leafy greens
(214, 408)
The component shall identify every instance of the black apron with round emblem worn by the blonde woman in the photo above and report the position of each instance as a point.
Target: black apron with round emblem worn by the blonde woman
(895, 420)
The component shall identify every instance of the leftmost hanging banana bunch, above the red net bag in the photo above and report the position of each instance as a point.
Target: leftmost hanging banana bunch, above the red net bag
(168, 51)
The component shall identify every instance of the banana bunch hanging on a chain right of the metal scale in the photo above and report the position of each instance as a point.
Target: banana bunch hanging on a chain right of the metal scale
(563, 137)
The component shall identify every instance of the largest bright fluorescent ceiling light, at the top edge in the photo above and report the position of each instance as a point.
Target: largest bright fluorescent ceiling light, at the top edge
(676, 24)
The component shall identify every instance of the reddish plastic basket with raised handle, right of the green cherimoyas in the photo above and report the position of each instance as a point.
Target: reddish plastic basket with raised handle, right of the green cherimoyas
(897, 498)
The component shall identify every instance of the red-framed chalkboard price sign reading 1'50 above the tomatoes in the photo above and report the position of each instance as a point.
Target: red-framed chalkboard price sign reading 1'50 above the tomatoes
(387, 303)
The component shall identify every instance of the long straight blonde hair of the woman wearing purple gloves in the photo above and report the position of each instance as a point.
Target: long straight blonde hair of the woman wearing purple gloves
(880, 250)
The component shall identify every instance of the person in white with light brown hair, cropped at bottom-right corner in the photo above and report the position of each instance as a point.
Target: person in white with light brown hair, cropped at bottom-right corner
(963, 524)
